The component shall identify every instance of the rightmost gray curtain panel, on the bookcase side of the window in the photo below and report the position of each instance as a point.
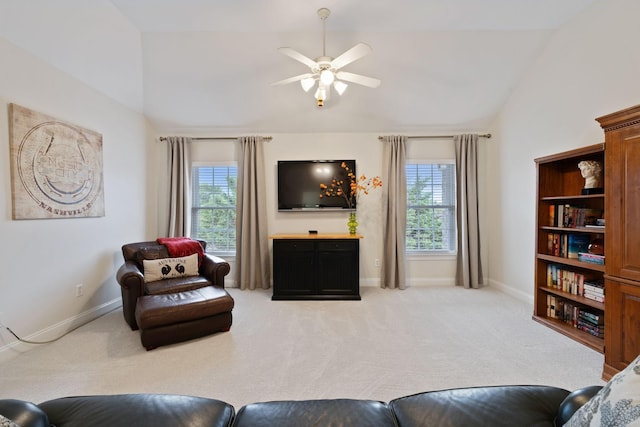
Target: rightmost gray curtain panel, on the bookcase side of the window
(469, 265)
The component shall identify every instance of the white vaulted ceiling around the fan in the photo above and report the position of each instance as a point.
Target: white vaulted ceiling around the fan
(197, 66)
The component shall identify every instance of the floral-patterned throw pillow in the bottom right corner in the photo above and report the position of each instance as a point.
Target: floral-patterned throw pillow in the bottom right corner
(617, 404)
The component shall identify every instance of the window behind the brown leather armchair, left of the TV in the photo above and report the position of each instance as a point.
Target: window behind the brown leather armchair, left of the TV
(213, 214)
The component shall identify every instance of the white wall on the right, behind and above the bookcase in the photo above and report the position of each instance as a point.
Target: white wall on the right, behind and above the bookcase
(591, 67)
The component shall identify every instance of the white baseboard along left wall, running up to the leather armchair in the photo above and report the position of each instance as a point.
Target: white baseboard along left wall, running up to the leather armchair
(16, 347)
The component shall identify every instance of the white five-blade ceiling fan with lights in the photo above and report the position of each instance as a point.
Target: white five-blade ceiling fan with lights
(326, 70)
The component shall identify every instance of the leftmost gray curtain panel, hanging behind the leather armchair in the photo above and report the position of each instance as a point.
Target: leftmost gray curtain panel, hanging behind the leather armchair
(179, 175)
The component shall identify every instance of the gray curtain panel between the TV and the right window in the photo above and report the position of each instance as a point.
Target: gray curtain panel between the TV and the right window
(394, 187)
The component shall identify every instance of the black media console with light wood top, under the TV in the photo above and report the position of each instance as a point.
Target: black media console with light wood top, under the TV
(316, 267)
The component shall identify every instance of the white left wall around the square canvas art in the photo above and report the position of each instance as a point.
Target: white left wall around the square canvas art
(44, 260)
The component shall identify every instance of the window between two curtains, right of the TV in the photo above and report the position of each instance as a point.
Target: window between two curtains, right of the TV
(431, 206)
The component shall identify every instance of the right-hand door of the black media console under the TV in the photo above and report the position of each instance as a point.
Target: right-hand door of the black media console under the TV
(338, 267)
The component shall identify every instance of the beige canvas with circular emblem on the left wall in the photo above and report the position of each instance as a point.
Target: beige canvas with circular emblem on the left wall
(56, 167)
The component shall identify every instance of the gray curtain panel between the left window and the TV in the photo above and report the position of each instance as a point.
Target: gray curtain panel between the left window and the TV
(252, 240)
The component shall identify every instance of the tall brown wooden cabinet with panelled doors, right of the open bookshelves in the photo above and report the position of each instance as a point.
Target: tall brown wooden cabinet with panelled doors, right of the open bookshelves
(622, 239)
